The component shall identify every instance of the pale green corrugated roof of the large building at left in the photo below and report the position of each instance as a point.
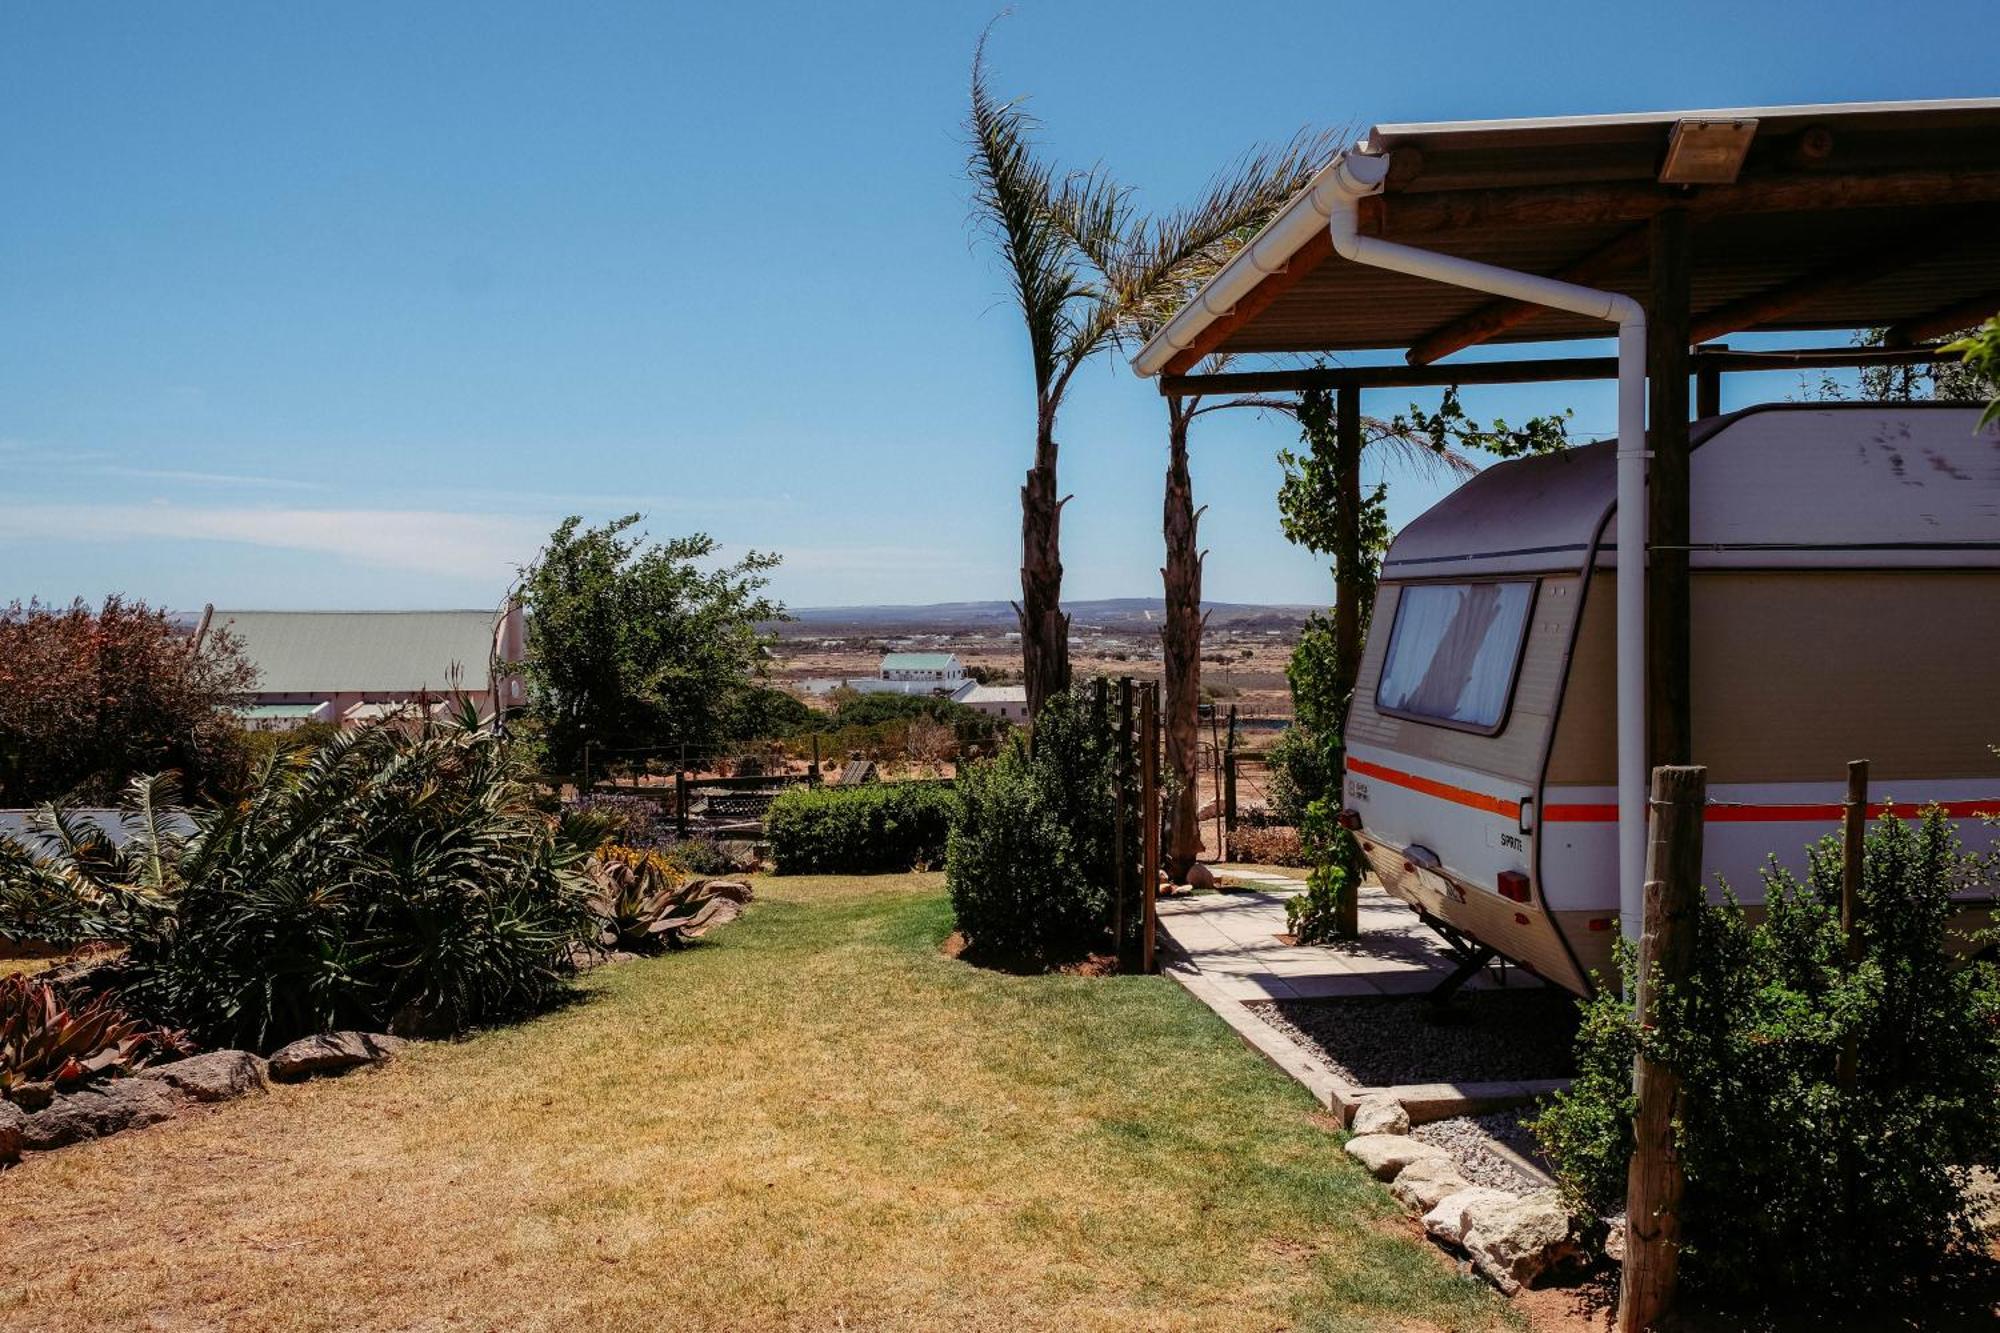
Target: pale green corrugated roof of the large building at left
(371, 651)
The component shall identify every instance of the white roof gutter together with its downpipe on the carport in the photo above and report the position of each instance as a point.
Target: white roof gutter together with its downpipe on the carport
(1333, 201)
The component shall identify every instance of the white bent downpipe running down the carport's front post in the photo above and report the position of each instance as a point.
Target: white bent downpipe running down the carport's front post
(1337, 197)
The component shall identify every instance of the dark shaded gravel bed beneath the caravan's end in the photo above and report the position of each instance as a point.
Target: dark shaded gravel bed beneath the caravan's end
(1493, 1036)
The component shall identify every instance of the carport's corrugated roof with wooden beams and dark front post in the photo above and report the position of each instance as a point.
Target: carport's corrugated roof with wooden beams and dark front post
(1715, 223)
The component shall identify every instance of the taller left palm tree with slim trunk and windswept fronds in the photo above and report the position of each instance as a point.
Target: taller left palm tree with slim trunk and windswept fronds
(1085, 271)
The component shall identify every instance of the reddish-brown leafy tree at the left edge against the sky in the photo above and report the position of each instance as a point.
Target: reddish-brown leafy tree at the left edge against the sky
(93, 698)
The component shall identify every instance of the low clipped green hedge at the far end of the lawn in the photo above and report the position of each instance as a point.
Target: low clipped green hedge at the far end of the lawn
(861, 830)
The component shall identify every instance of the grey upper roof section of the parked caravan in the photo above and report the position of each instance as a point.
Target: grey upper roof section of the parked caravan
(1859, 485)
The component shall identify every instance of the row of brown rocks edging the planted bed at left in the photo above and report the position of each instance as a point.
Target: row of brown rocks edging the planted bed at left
(165, 1092)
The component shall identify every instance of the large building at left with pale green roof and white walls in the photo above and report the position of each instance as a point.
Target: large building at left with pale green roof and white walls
(355, 668)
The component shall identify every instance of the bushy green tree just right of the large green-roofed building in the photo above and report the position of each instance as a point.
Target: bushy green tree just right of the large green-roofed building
(635, 643)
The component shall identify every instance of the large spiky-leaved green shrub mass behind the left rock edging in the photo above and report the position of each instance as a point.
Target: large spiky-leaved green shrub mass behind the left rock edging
(393, 878)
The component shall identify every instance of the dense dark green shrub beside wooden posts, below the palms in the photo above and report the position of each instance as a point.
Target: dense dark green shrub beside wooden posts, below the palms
(1031, 860)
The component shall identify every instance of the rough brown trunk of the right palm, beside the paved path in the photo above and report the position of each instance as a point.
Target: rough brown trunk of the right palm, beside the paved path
(1181, 641)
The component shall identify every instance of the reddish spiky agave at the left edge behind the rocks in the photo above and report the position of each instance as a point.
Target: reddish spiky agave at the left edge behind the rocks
(49, 1042)
